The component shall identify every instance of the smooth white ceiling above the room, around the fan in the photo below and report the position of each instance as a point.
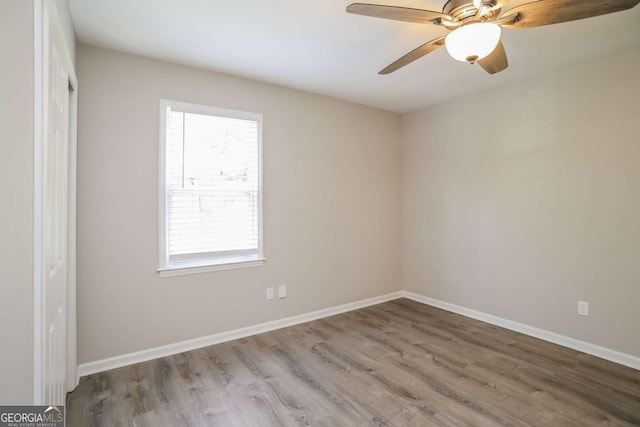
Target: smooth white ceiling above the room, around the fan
(317, 47)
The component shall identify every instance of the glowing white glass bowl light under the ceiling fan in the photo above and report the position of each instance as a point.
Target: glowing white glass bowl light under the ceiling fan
(473, 41)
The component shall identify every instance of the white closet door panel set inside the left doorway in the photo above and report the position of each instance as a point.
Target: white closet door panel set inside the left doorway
(55, 220)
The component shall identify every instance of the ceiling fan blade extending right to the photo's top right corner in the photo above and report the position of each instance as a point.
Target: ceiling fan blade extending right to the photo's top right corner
(539, 13)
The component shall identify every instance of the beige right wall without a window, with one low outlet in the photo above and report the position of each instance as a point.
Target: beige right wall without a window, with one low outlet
(522, 200)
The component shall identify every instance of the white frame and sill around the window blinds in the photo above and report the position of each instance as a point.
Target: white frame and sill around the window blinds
(167, 268)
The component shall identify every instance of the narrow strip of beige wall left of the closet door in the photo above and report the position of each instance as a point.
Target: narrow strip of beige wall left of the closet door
(16, 213)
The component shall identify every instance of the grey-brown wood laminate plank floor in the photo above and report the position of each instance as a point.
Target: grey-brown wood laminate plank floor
(400, 363)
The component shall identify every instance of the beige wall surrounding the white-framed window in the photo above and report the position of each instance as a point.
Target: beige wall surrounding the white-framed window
(332, 223)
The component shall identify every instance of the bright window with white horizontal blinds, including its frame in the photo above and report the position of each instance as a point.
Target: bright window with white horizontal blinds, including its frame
(210, 188)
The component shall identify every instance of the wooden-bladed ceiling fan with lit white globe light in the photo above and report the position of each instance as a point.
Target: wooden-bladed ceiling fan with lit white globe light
(475, 25)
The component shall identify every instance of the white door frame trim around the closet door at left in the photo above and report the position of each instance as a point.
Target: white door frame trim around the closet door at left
(44, 12)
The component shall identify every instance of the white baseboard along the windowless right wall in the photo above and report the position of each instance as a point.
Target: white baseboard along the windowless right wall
(563, 340)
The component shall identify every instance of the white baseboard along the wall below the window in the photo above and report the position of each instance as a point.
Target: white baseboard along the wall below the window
(192, 344)
